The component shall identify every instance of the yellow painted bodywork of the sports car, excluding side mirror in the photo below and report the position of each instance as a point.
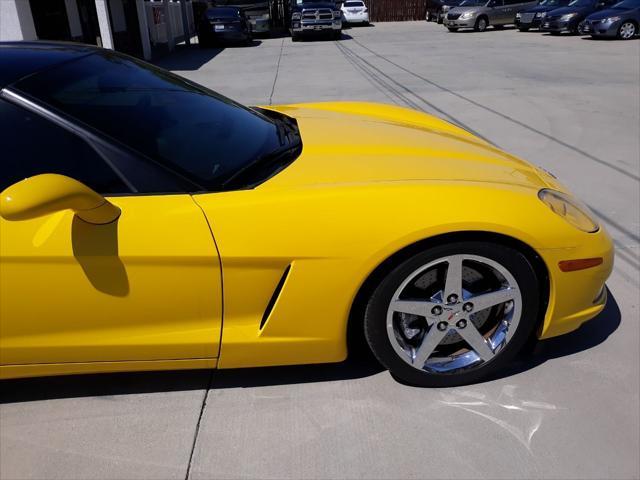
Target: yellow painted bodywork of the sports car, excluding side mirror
(371, 180)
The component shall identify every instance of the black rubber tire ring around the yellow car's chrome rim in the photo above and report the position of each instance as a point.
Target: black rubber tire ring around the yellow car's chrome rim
(375, 316)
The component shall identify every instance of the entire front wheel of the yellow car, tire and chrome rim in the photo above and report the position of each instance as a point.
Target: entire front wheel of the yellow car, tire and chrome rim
(453, 314)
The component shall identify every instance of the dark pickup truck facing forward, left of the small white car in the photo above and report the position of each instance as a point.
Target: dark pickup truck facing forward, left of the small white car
(315, 16)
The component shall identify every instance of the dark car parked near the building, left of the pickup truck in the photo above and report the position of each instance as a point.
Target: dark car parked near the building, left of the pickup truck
(224, 24)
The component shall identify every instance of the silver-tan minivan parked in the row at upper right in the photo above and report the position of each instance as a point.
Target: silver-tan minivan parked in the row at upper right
(479, 14)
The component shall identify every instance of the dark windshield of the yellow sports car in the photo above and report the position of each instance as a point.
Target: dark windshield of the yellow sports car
(187, 128)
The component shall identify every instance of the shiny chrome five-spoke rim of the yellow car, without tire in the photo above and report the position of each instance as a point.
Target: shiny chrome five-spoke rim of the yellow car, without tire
(473, 308)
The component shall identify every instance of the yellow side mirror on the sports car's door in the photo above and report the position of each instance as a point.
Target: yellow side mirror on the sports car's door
(48, 193)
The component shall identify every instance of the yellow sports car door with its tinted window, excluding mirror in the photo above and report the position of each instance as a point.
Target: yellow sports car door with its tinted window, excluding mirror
(144, 287)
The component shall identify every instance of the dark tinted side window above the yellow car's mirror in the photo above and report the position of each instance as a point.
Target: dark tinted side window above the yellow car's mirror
(32, 145)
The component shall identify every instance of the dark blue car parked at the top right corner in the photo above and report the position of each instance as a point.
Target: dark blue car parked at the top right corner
(620, 21)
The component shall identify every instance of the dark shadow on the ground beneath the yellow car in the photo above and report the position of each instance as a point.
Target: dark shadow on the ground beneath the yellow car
(357, 366)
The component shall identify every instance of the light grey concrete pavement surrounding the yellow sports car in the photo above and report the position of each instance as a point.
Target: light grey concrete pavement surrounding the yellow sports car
(571, 105)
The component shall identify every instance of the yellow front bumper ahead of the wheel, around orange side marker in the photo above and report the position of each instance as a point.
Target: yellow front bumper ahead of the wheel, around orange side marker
(575, 297)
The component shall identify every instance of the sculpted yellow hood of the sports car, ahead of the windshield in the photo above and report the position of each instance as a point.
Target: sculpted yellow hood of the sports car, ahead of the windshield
(357, 143)
